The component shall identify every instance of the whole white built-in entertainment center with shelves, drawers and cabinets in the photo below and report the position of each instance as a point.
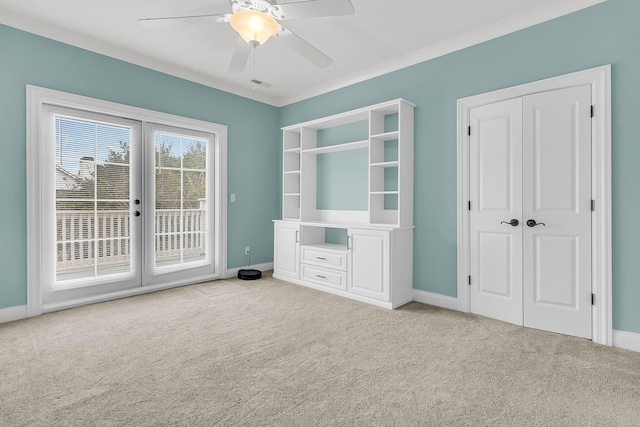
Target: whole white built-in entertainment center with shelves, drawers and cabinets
(364, 253)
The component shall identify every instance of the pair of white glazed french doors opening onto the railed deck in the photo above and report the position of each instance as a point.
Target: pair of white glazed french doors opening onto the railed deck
(126, 204)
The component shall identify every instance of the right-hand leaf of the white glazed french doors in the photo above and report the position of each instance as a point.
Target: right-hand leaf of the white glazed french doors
(179, 185)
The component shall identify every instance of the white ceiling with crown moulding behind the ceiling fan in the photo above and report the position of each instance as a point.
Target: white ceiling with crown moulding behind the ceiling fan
(381, 36)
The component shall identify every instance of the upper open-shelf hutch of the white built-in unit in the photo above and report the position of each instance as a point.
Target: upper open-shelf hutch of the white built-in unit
(386, 130)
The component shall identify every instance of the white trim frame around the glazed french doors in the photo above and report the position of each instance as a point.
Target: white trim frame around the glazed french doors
(37, 97)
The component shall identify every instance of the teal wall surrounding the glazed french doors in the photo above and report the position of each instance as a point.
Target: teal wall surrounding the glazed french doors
(253, 160)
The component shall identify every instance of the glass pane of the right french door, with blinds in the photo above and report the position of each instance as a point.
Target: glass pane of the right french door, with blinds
(180, 199)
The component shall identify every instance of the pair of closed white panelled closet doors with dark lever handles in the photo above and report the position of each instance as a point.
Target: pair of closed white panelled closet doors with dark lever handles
(530, 213)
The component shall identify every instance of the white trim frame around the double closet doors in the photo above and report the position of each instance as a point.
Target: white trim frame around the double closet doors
(600, 80)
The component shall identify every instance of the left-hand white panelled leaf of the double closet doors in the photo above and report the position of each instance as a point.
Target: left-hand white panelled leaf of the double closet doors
(496, 194)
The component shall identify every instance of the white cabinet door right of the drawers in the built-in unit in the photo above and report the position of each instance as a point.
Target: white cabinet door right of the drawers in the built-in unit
(369, 263)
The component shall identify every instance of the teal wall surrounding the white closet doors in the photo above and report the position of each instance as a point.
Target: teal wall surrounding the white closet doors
(602, 34)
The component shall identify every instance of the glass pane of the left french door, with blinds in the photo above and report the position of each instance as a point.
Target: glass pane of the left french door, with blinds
(92, 198)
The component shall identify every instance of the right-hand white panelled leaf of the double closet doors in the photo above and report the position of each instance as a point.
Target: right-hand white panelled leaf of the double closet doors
(557, 193)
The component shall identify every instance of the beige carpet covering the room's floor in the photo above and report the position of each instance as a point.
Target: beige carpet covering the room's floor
(269, 353)
